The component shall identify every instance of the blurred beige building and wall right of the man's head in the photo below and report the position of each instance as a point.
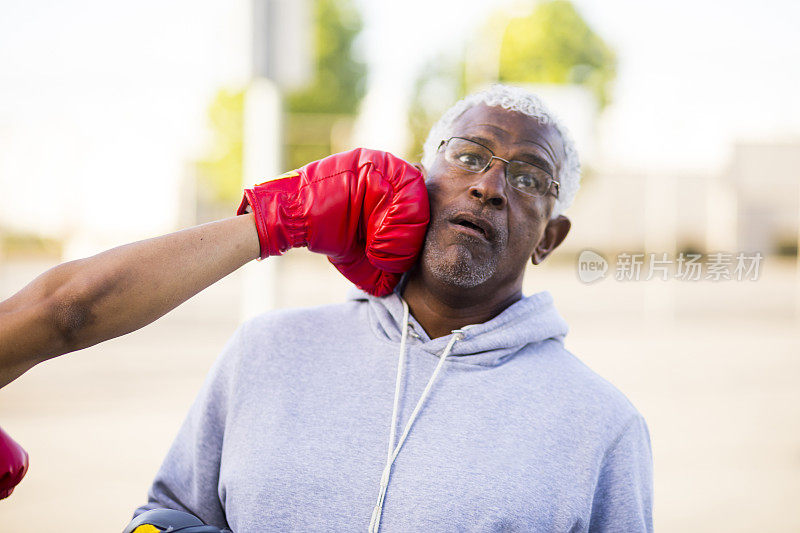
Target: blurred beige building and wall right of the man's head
(750, 205)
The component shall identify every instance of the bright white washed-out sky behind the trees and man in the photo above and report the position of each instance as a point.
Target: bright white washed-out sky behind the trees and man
(103, 103)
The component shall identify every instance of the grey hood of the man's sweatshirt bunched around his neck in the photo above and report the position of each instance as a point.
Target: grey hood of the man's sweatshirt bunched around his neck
(531, 320)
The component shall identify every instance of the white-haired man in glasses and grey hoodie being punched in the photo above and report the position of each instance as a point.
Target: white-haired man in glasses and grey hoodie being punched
(492, 425)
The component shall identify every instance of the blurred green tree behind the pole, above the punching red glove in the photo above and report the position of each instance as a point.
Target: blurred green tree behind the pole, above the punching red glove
(315, 114)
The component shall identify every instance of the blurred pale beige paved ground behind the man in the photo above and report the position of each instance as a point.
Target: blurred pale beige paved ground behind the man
(714, 368)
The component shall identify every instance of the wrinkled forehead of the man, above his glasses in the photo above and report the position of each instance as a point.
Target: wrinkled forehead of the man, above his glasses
(511, 133)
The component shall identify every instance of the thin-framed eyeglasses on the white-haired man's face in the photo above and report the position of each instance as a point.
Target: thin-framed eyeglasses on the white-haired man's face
(475, 157)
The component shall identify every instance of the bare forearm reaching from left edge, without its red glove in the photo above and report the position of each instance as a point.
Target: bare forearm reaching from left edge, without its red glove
(81, 303)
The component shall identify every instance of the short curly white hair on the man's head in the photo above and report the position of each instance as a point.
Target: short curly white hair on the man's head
(522, 101)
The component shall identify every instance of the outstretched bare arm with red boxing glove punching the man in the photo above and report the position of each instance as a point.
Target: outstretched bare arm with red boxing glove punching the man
(366, 210)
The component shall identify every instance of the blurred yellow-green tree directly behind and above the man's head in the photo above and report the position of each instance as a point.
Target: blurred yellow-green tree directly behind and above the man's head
(551, 44)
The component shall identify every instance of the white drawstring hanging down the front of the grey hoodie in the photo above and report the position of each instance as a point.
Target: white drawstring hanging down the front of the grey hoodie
(374, 523)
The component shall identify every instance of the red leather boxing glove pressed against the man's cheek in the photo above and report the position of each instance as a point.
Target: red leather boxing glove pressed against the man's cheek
(366, 210)
